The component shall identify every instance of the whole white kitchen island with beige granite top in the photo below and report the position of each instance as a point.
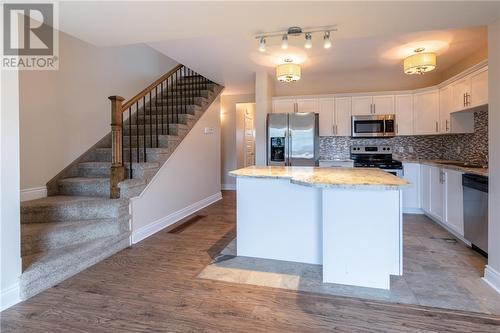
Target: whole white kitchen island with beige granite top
(349, 220)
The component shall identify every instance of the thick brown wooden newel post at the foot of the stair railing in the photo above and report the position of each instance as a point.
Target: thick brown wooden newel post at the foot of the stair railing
(117, 168)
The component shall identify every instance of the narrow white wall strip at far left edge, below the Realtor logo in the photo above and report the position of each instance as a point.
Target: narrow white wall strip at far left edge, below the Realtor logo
(10, 248)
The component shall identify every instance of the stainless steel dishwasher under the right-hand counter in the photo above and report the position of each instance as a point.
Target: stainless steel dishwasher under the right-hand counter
(476, 211)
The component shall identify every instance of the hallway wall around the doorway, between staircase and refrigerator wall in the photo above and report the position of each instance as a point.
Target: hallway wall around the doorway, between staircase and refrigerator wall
(228, 136)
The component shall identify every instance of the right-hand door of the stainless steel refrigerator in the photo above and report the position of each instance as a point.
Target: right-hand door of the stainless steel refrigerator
(302, 128)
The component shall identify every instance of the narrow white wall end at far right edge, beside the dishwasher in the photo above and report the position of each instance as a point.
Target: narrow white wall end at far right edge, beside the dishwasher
(492, 271)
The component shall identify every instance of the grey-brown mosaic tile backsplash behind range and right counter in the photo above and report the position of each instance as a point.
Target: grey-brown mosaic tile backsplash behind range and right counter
(471, 147)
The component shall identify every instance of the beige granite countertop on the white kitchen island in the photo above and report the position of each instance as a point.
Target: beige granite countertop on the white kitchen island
(349, 178)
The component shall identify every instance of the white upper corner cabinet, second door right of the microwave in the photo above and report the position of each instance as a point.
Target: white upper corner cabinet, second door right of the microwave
(426, 112)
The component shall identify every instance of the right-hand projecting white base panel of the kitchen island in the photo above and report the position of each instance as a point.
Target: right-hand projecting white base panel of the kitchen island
(362, 235)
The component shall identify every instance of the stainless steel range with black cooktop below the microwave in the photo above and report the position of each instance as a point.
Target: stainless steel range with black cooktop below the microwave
(376, 157)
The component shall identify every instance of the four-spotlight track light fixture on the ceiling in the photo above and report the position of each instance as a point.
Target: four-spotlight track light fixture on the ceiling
(297, 32)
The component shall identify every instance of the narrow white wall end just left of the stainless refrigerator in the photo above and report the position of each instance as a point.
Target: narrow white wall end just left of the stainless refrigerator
(264, 91)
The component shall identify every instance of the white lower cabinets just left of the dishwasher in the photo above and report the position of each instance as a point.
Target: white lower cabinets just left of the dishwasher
(441, 196)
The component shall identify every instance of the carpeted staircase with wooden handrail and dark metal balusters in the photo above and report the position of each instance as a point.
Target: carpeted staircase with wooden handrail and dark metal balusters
(85, 218)
